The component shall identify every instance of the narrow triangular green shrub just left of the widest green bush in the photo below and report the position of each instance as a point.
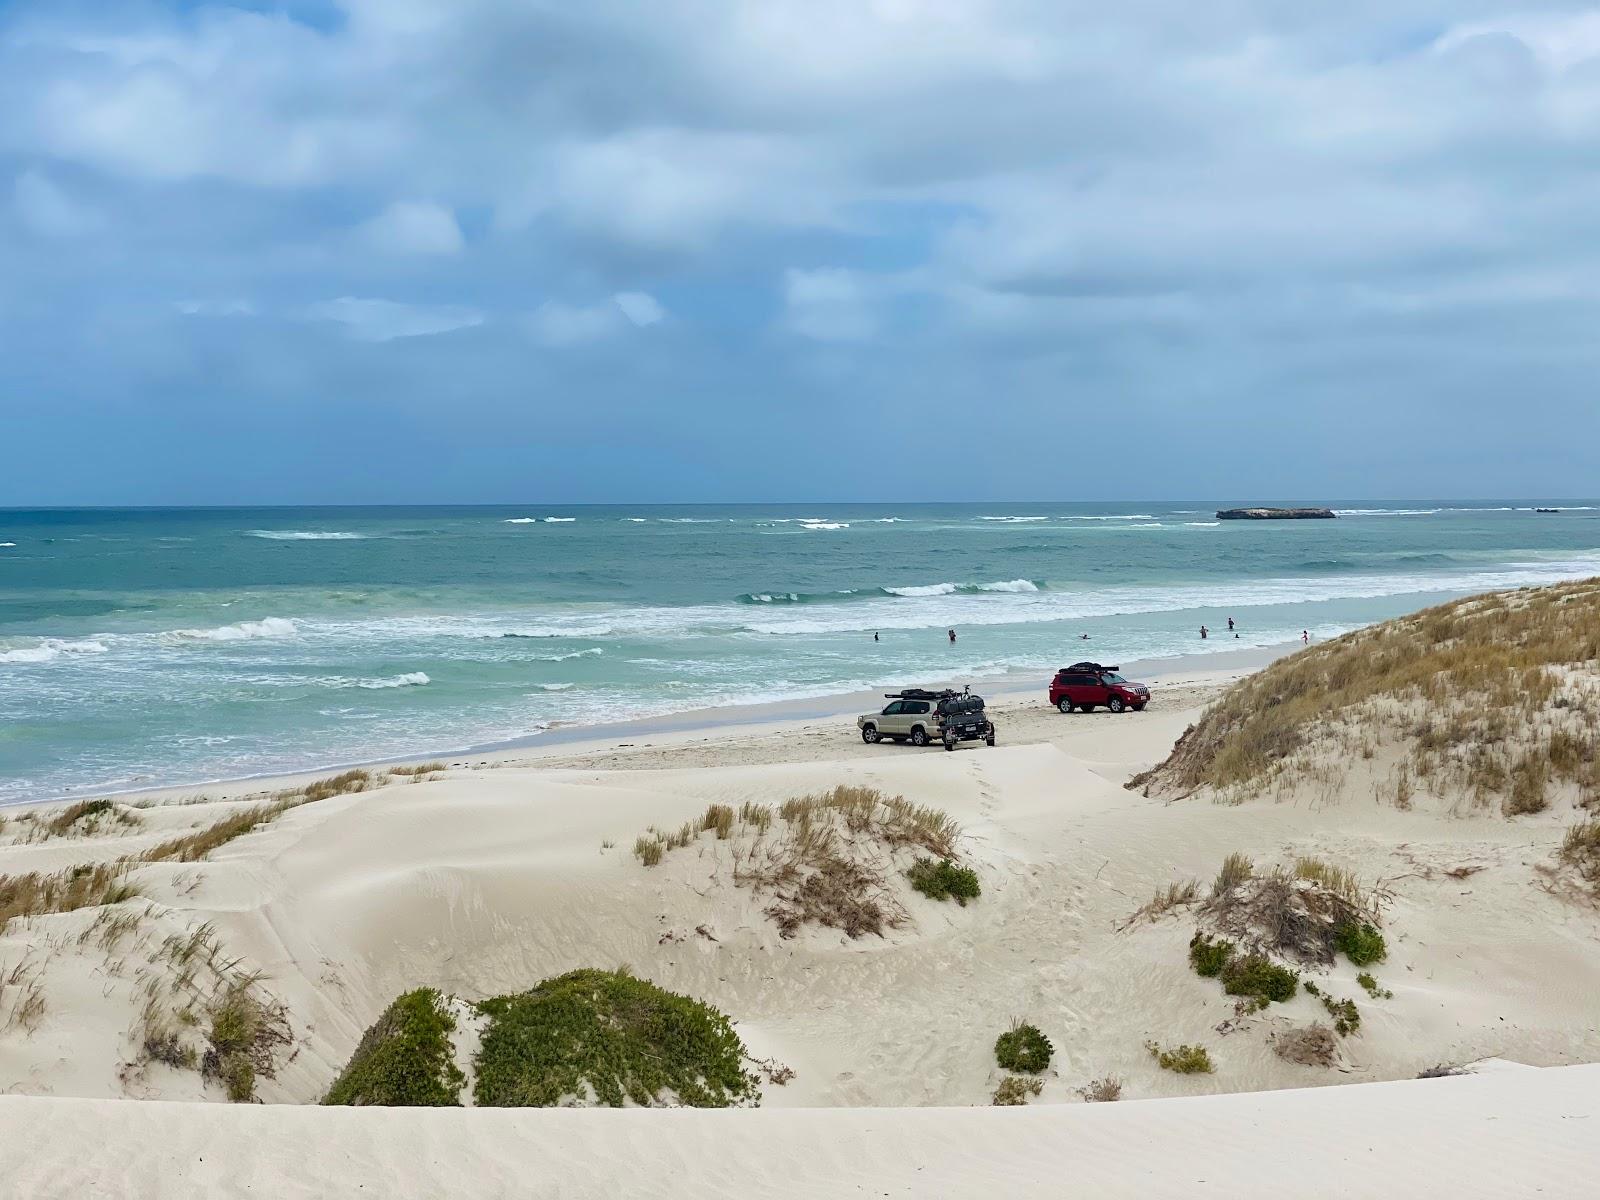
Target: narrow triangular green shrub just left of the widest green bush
(406, 1060)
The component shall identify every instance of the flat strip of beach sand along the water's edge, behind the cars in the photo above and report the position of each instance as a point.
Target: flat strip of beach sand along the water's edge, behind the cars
(710, 724)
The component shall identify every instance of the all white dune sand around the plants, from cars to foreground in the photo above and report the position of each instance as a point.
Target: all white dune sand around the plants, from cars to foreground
(494, 879)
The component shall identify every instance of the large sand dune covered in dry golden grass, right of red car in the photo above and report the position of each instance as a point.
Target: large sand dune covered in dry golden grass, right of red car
(1505, 684)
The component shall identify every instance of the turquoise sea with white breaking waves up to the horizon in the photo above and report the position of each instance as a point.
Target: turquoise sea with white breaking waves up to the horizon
(151, 647)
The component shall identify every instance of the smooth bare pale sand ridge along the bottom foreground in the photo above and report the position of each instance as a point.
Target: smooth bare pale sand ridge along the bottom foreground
(1495, 1135)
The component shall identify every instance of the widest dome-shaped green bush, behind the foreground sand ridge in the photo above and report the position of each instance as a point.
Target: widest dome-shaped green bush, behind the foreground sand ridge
(609, 1036)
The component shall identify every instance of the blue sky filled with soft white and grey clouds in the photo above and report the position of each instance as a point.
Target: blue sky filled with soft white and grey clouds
(706, 250)
